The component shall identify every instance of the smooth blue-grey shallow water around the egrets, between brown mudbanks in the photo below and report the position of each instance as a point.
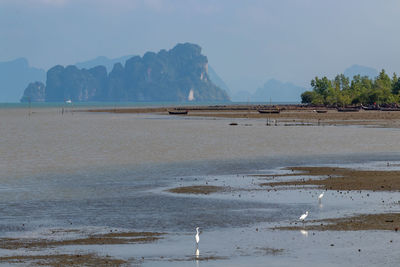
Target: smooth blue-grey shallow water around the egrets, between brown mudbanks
(236, 224)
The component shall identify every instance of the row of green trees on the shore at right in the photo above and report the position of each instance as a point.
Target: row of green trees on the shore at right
(361, 90)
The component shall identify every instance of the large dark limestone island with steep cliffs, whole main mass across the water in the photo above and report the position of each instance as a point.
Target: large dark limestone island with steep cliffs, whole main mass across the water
(164, 76)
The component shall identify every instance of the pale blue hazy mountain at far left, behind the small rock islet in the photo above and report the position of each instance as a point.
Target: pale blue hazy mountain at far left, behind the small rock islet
(15, 76)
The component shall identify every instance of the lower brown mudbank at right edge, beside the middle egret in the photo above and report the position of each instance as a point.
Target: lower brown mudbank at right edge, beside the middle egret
(364, 222)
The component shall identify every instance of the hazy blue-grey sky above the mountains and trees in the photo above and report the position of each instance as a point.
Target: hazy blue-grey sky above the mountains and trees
(247, 42)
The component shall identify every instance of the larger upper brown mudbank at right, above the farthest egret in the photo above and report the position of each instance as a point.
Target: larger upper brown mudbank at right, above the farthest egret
(341, 179)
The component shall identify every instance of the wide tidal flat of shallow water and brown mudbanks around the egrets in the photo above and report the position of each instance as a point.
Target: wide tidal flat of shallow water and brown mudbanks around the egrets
(128, 189)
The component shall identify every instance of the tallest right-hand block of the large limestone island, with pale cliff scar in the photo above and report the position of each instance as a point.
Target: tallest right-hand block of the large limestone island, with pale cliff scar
(165, 76)
